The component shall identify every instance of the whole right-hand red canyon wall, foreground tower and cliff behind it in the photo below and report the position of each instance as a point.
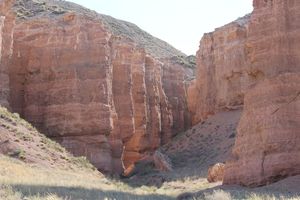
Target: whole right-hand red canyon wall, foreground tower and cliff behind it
(254, 62)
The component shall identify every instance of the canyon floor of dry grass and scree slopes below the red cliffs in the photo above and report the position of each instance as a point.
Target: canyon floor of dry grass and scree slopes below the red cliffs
(30, 176)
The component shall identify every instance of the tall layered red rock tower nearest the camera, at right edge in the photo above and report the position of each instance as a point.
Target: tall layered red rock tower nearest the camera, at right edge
(267, 147)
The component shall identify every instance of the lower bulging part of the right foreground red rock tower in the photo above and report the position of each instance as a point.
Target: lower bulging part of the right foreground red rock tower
(267, 146)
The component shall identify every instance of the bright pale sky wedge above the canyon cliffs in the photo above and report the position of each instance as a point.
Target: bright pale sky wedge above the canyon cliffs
(179, 22)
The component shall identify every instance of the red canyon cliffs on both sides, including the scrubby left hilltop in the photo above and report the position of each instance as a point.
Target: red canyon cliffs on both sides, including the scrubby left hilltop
(107, 90)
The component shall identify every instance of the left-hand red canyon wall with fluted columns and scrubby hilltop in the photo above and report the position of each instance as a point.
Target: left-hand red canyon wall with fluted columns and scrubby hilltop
(101, 87)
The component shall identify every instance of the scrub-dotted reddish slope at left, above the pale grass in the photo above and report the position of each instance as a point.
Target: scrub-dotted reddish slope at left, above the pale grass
(20, 140)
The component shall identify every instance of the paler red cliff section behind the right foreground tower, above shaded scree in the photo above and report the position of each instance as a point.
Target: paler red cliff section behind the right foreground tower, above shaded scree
(222, 75)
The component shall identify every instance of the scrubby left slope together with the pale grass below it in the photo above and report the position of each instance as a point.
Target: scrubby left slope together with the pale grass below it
(39, 168)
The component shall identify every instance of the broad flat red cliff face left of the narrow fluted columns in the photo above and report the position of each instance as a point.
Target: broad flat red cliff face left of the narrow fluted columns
(63, 84)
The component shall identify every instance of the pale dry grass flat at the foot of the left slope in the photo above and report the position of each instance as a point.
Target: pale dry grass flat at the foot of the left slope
(19, 180)
